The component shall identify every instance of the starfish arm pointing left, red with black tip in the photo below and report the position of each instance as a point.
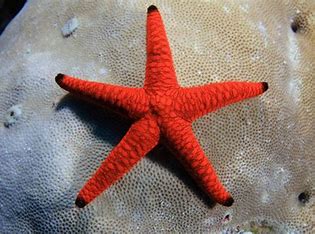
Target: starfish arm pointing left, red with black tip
(130, 101)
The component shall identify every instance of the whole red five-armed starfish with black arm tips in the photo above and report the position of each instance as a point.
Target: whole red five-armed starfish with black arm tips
(160, 108)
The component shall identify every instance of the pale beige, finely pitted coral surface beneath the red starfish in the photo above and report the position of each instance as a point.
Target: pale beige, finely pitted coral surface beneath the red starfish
(262, 148)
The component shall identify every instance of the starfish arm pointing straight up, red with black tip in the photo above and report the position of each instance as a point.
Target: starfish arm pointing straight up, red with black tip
(160, 72)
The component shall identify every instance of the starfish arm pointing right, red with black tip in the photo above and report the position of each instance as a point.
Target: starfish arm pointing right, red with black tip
(197, 101)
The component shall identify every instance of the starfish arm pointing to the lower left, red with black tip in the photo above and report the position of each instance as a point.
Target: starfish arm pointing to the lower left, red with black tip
(142, 136)
